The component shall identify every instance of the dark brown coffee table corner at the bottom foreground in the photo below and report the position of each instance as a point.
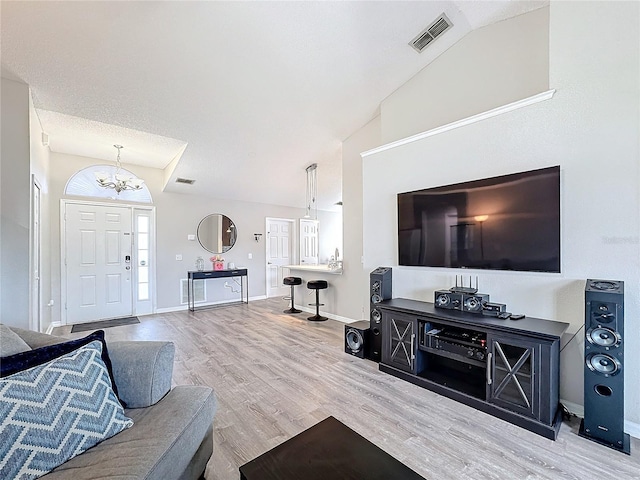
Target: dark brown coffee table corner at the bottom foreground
(327, 451)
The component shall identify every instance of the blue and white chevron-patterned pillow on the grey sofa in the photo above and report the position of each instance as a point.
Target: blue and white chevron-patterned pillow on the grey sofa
(55, 411)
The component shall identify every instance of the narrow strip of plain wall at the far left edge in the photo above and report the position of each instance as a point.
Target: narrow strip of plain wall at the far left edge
(14, 204)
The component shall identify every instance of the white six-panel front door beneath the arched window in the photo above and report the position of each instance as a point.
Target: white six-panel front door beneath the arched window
(97, 255)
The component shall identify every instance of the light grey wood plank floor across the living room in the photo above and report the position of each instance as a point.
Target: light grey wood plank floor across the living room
(276, 375)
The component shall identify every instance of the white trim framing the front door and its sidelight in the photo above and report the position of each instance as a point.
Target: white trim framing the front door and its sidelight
(63, 268)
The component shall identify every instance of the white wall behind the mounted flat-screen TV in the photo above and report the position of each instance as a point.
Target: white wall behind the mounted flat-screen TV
(591, 129)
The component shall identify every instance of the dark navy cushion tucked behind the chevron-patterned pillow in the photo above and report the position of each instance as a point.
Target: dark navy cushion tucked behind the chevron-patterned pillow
(38, 356)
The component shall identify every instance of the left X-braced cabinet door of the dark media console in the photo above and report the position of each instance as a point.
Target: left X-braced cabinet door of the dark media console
(399, 340)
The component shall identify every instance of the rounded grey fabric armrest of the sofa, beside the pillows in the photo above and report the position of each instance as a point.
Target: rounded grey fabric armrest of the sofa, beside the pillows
(142, 371)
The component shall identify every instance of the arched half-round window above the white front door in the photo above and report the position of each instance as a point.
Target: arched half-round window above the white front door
(83, 183)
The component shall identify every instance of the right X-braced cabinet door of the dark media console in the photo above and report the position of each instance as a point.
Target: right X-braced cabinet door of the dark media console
(512, 380)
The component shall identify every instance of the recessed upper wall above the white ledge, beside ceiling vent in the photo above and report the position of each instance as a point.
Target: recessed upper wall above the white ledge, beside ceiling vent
(489, 67)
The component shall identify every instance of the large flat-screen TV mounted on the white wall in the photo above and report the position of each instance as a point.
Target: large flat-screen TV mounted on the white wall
(511, 222)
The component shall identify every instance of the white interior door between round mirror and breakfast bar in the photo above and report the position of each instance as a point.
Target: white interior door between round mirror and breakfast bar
(279, 252)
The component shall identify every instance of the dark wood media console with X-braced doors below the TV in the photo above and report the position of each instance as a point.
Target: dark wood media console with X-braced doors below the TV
(507, 368)
